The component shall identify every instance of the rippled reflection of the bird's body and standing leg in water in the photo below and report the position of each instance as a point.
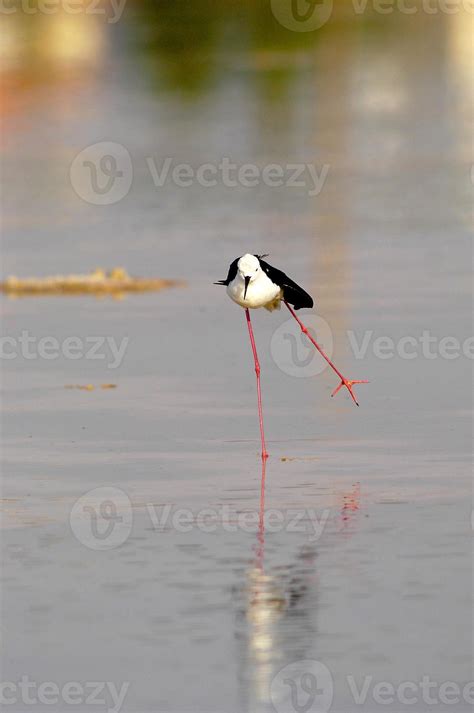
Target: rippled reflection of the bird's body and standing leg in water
(275, 617)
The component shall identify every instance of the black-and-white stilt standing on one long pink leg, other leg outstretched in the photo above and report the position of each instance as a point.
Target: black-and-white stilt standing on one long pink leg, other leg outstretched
(252, 283)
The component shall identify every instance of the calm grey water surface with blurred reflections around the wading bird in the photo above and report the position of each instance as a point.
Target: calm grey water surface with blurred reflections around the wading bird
(365, 562)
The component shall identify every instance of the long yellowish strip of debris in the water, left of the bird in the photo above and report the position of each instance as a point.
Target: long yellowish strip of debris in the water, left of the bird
(98, 282)
